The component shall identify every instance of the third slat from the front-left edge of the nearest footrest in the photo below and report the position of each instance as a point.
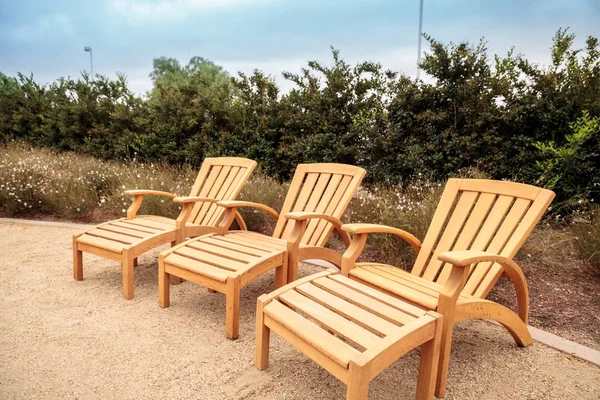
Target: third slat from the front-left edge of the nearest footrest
(367, 320)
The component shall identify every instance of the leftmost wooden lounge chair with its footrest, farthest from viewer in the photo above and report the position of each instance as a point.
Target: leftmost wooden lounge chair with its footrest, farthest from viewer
(124, 239)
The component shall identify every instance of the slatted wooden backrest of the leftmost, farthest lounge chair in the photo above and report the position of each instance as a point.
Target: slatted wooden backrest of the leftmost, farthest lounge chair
(220, 178)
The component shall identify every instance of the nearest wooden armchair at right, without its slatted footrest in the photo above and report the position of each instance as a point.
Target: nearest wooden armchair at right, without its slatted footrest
(478, 226)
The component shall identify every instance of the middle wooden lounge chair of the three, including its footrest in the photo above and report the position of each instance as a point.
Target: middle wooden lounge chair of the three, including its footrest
(229, 260)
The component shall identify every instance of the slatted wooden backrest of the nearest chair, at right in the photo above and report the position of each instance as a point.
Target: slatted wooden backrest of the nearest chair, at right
(483, 215)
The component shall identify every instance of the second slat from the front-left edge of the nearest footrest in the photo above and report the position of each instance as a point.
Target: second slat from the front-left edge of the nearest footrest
(350, 331)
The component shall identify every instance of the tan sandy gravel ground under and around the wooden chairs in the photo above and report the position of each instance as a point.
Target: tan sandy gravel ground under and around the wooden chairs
(81, 340)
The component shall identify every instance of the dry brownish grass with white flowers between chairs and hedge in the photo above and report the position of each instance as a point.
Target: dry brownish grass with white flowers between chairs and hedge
(49, 184)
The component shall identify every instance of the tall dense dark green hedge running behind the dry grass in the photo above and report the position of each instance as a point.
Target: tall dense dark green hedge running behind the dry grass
(507, 117)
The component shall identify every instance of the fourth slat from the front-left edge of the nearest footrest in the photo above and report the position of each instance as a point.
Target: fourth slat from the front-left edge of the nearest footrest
(373, 305)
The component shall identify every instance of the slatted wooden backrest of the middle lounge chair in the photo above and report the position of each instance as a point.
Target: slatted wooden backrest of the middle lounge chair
(322, 188)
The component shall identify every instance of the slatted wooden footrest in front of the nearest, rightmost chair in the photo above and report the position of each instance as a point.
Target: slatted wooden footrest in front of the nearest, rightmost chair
(350, 329)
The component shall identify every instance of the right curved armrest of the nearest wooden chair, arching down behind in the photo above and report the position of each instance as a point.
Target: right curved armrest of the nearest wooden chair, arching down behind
(465, 258)
